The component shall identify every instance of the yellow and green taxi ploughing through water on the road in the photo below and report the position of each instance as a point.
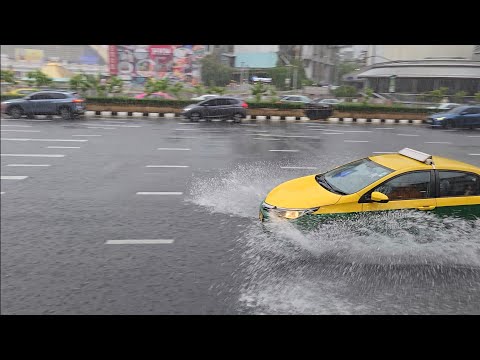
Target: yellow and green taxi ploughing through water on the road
(409, 179)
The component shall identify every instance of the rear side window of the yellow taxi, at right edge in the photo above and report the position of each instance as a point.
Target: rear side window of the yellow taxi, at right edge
(457, 183)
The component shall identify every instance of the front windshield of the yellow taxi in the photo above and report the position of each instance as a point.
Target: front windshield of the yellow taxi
(352, 177)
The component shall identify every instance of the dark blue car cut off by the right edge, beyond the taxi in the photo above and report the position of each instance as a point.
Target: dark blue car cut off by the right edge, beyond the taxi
(459, 117)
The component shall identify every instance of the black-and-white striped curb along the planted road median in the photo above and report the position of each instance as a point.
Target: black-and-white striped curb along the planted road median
(261, 118)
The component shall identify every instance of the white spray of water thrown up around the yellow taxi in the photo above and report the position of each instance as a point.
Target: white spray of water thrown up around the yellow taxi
(290, 270)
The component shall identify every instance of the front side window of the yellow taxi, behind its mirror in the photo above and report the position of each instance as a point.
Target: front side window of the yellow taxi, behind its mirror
(414, 185)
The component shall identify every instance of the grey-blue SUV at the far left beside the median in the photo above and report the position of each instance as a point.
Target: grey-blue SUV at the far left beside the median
(67, 104)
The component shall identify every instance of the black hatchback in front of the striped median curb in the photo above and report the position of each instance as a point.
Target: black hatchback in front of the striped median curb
(220, 107)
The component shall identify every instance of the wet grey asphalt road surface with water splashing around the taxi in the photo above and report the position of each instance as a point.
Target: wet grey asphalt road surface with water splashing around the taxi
(57, 224)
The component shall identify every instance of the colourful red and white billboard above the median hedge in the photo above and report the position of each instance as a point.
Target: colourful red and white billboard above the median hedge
(140, 62)
